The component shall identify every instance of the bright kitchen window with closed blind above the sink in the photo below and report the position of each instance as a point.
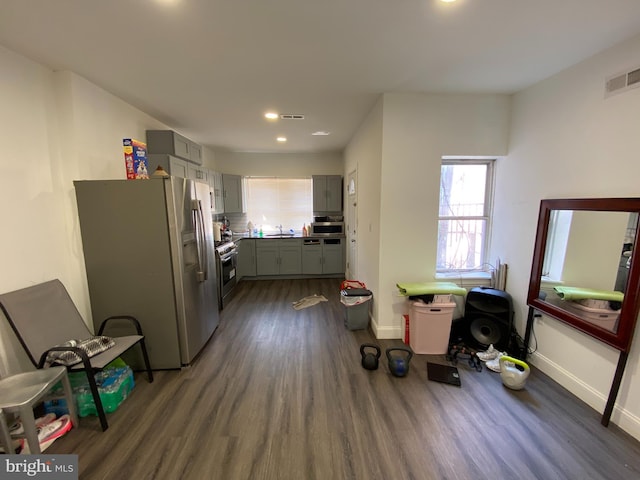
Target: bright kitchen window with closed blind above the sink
(275, 201)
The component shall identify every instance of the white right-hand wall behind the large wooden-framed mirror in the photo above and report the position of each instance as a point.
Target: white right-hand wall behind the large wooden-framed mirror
(567, 140)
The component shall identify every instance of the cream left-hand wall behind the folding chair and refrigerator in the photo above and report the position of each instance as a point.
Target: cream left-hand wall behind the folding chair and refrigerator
(56, 128)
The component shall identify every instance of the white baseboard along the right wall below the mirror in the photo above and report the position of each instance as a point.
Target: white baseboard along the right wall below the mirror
(624, 419)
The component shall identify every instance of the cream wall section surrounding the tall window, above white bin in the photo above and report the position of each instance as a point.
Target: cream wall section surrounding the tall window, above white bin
(418, 130)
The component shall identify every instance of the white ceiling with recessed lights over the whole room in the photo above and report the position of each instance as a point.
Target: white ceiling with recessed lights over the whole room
(210, 69)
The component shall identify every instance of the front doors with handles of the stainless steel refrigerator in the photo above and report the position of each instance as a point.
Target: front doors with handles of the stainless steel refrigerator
(195, 270)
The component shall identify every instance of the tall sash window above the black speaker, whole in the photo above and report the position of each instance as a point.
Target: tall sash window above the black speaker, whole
(466, 192)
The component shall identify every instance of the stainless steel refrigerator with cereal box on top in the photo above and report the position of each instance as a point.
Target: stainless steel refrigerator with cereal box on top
(148, 251)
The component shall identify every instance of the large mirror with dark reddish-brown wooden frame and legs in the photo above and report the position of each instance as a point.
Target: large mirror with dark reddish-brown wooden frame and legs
(585, 272)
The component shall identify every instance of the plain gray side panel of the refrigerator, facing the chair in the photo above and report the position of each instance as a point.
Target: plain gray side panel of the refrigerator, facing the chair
(128, 252)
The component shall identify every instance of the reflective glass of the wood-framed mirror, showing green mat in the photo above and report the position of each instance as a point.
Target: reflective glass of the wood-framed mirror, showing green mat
(585, 267)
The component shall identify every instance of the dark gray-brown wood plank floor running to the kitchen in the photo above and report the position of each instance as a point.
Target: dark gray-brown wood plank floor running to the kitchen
(280, 394)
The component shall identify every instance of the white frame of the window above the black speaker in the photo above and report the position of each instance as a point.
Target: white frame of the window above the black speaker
(487, 213)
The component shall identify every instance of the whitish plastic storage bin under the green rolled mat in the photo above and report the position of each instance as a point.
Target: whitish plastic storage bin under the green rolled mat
(430, 327)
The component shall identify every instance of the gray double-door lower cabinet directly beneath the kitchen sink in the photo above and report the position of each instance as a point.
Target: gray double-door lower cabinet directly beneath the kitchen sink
(278, 257)
